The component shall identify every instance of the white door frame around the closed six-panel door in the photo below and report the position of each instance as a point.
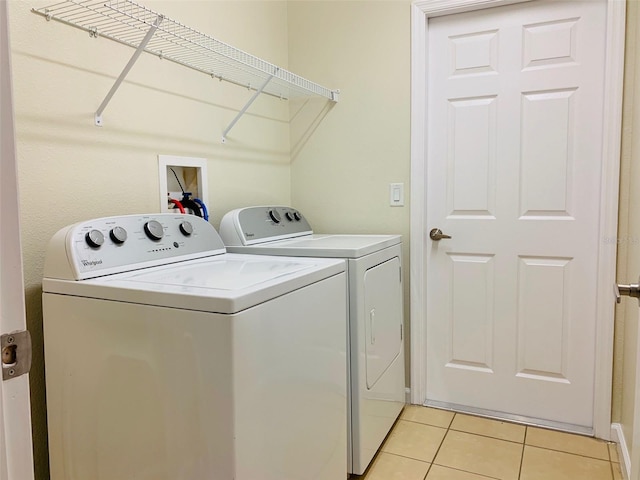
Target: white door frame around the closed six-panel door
(421, 11)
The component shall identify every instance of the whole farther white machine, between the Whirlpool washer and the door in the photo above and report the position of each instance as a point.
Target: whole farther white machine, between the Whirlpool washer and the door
(374, 265)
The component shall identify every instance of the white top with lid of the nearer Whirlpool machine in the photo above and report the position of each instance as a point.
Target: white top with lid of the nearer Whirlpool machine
(226, 283)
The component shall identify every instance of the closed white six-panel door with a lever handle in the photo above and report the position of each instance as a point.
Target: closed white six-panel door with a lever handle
(515, 108)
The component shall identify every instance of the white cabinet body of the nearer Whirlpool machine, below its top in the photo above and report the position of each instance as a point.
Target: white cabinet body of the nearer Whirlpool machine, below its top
(140, 391)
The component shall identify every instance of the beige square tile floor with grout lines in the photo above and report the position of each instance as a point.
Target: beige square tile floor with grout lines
(432, 444)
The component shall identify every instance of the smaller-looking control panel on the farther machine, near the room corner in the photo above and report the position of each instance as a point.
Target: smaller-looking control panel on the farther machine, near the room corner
(251, 225)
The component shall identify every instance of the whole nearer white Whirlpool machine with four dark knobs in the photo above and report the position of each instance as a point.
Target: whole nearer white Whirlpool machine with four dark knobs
(169, 359)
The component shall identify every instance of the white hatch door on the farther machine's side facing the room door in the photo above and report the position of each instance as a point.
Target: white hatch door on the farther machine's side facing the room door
(383, 322)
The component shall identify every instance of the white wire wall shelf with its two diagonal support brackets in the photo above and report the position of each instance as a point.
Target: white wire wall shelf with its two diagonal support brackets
(136, 26)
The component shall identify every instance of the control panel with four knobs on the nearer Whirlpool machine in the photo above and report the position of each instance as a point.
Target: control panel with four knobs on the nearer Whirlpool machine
(109, 245)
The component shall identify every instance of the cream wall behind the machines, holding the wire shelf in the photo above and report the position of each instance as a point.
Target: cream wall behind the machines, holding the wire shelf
(70, 170)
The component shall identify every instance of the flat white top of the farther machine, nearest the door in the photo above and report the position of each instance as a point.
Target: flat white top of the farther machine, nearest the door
(334, 246)
